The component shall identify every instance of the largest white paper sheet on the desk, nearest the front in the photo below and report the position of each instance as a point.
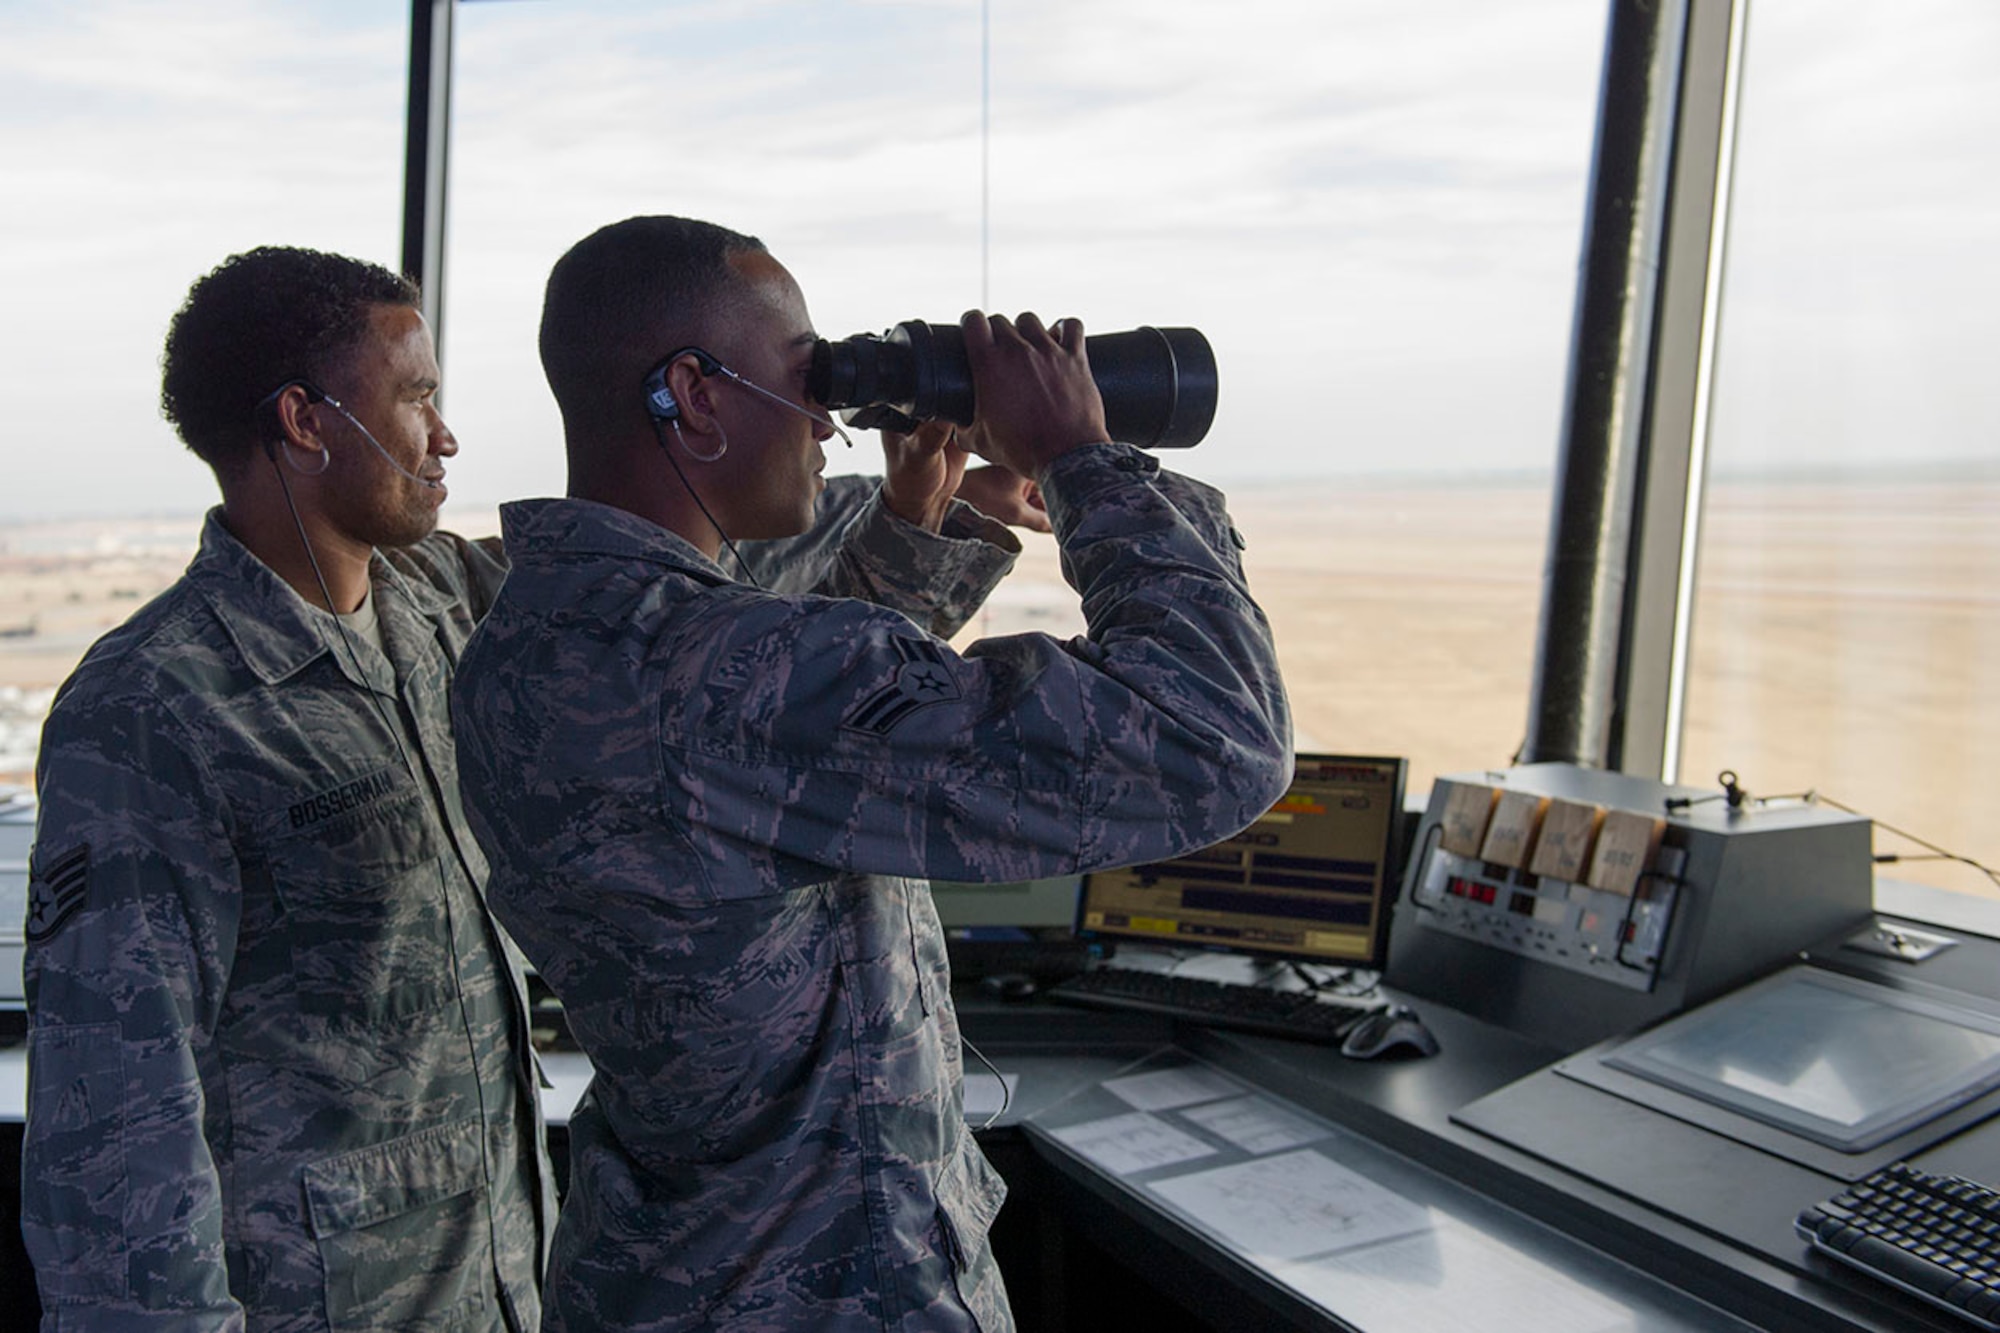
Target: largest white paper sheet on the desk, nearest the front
(1293, 1206)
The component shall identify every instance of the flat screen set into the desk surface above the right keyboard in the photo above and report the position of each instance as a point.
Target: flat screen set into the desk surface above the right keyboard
(1841, 1062)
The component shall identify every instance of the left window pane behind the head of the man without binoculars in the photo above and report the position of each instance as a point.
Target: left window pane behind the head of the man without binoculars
(145, 143)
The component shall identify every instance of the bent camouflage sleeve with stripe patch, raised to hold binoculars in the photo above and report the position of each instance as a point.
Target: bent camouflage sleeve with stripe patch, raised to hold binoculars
(847, 738)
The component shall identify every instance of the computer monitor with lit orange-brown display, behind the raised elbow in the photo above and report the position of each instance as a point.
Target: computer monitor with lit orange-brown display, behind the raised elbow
(1311, 882)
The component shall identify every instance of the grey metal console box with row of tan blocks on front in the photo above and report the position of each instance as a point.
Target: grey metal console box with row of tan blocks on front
(1573, 906)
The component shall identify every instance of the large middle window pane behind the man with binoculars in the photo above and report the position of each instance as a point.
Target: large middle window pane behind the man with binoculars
(1371, 209)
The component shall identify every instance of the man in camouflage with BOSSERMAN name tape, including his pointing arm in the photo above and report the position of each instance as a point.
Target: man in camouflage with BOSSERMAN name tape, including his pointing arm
(279, 1054)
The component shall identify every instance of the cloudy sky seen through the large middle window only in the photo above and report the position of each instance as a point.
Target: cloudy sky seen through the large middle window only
(1325, 191)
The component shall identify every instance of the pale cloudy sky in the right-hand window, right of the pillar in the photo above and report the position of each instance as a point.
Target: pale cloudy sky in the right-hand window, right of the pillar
(1861, 277)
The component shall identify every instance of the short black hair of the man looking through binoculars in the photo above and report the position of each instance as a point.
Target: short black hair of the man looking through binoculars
(625, 297)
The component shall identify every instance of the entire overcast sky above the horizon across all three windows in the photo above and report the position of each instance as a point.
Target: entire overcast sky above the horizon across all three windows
(1371, 207)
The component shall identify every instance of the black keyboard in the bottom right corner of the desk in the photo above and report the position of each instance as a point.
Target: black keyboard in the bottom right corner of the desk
(1933, 1236)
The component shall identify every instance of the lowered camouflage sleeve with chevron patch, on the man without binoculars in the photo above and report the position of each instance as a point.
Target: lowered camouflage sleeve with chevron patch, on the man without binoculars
(133, 920)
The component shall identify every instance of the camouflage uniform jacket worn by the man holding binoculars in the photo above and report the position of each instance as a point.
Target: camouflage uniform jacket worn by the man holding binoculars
(701, 804)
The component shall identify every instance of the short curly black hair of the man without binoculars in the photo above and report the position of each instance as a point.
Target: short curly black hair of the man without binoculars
(261, 319)
